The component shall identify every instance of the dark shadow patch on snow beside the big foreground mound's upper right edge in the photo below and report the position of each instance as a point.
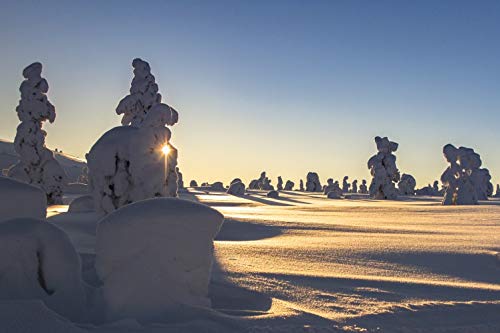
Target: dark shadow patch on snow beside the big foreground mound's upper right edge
(233, 230)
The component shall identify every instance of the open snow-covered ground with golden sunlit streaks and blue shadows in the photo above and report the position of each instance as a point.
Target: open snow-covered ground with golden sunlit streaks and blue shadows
(304, 263)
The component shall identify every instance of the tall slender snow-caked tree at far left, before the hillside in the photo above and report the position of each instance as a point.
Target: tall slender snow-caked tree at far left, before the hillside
(37, 164)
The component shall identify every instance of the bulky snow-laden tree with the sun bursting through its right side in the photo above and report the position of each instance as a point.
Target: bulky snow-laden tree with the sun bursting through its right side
(128, 163)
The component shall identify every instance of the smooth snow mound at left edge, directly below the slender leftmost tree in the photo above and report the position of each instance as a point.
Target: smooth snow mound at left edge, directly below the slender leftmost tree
(18, 199)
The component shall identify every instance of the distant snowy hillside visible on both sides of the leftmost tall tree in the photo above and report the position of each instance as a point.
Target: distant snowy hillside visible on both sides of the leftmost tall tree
(72, 165)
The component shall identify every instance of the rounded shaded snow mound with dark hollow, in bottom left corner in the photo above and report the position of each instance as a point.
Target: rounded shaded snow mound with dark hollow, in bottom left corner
(38, 261)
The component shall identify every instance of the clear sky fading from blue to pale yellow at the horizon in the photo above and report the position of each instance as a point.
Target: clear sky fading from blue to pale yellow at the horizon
(282, 86)
